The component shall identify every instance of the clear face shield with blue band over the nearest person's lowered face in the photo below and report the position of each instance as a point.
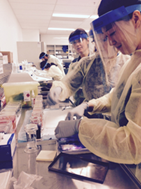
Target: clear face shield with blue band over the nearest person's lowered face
(115, 32)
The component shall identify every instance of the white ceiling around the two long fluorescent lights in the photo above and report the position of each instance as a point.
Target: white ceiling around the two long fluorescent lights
(37, 14)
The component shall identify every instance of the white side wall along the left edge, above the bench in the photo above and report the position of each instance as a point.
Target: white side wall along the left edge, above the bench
(10, 30)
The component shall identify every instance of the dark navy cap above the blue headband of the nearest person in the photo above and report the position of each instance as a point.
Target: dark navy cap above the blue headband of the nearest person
(108, 5)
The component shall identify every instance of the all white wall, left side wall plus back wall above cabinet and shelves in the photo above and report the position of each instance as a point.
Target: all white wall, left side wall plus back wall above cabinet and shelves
(11, 32)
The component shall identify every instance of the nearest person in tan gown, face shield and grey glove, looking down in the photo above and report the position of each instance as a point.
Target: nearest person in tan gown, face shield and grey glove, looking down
(117, 140)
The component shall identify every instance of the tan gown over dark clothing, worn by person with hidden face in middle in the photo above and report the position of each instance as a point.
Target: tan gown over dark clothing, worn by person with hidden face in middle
(90, 74)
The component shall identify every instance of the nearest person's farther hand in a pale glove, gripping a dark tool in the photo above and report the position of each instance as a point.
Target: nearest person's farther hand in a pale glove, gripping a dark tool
(77, 111)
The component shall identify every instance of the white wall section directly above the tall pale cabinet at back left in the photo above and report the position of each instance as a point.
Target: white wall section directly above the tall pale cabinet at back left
(31, 35)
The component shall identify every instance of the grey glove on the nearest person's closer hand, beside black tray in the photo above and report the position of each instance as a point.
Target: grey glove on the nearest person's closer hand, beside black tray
(67, 128)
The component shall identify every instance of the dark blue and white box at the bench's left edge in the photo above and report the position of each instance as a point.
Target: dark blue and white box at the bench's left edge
(7, 150)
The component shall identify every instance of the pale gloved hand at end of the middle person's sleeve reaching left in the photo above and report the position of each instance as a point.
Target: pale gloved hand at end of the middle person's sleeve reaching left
(53, 96)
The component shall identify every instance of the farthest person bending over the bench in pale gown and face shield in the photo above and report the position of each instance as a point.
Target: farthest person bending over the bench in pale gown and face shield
(50, 59)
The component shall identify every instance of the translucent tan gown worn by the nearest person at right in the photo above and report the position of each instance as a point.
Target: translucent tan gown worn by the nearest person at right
(118, 140)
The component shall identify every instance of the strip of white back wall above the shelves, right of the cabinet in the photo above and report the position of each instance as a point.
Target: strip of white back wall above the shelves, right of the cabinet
(55, 39)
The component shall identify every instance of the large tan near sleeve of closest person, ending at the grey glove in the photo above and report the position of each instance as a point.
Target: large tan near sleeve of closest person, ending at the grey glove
(108, 139)
